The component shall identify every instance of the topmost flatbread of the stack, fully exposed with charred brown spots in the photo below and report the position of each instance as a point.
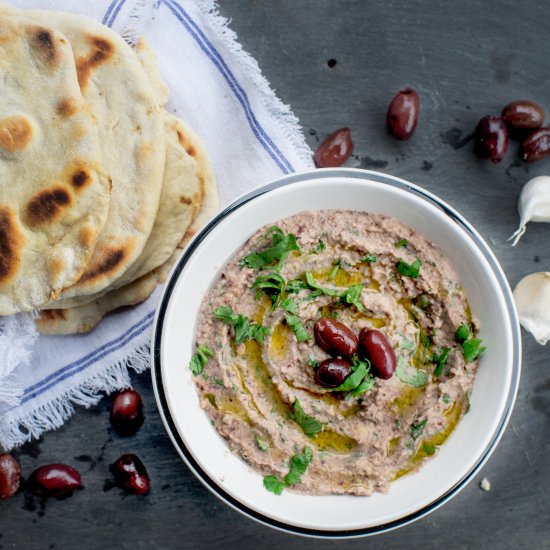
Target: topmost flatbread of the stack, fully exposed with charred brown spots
(54, 197)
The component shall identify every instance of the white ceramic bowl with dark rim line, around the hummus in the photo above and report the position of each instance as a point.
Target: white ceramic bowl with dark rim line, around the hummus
(410, 497)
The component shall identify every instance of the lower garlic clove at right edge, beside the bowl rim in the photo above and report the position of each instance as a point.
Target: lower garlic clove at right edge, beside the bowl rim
(532, 297)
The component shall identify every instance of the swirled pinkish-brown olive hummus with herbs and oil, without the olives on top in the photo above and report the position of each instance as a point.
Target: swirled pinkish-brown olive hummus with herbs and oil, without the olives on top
(257, 354)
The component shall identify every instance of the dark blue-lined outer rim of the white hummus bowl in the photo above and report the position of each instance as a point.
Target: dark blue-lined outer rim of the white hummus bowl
(156, 345)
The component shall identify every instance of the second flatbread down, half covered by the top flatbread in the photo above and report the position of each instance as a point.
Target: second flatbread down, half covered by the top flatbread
(131, 130)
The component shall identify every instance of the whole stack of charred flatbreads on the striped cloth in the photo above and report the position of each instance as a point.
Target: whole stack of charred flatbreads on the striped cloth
(100, 185)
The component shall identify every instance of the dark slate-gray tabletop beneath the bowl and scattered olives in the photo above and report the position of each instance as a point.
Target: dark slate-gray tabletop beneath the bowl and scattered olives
(466, 59)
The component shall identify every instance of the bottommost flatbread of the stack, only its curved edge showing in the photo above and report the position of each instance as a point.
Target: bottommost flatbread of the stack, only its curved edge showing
(85, 317)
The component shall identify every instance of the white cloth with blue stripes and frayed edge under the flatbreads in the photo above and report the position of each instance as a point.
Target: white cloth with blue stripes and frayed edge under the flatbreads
(252, 138)
